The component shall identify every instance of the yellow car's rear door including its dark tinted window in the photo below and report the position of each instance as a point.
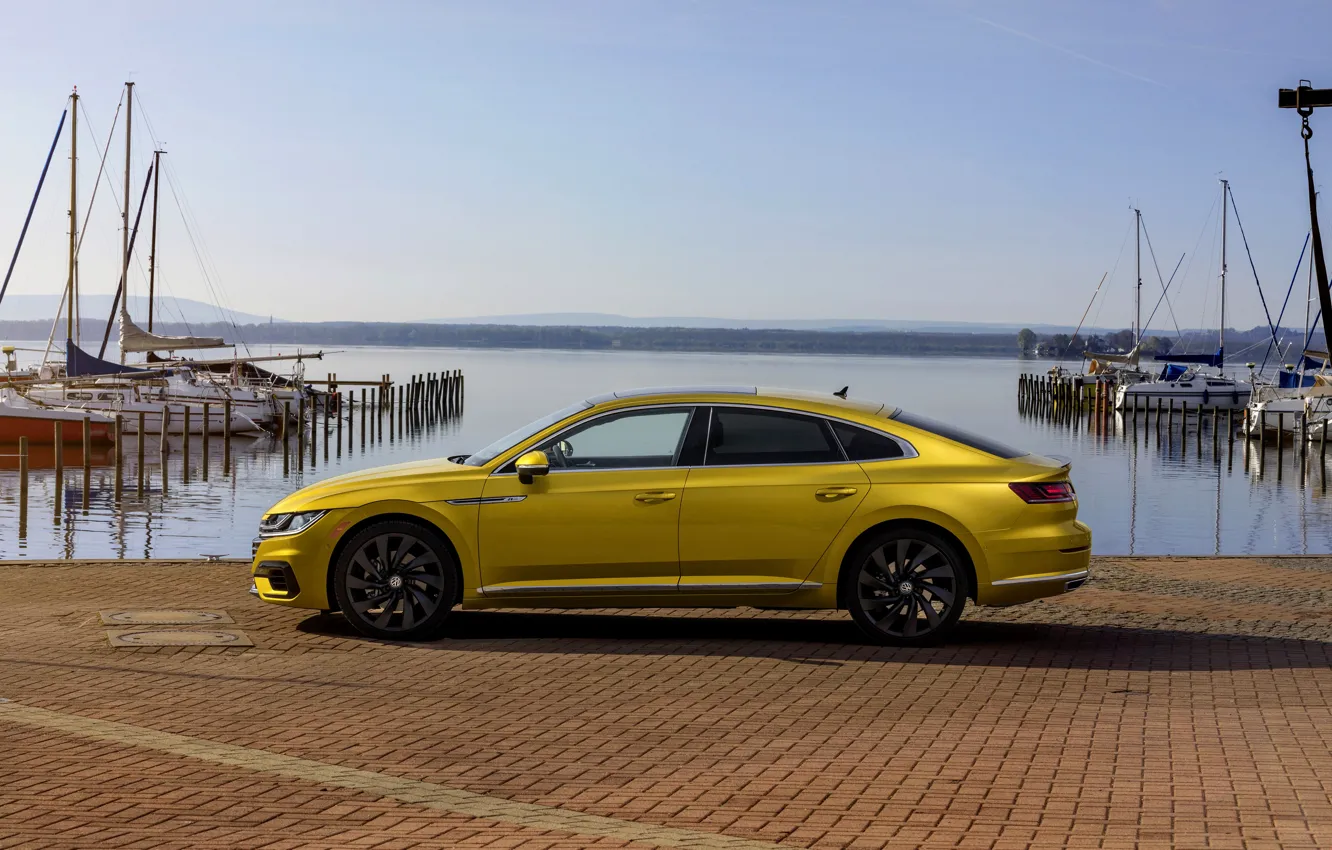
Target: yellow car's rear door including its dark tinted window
(773, 492)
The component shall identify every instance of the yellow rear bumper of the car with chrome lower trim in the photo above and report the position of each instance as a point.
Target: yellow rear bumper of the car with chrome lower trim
(1036, 567)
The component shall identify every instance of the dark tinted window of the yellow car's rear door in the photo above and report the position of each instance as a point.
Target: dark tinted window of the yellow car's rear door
(740, 438)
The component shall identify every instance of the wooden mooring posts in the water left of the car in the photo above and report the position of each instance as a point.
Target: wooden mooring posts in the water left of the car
(423, 402)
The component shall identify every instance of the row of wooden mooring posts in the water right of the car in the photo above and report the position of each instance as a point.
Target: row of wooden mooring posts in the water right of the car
(1064, 399)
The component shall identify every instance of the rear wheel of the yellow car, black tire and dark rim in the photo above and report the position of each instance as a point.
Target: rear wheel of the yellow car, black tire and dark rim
(906, 587)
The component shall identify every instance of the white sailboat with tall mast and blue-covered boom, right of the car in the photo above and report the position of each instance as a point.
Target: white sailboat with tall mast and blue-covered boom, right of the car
(1183, 380)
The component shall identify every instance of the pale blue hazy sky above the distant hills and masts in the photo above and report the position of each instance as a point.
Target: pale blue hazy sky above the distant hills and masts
(944, 161)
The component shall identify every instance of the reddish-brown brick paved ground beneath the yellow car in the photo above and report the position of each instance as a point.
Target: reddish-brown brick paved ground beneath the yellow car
(1173, 703)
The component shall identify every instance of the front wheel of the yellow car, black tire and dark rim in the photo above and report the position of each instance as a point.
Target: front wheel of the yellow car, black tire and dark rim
(408, 602)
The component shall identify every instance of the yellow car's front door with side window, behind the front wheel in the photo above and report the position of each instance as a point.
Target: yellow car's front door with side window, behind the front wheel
(605, 520)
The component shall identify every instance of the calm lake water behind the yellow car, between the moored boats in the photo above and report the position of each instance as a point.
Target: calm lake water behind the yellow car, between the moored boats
(1142, 495)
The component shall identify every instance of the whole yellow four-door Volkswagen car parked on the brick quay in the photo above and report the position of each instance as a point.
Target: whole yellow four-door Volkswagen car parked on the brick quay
(693, 498)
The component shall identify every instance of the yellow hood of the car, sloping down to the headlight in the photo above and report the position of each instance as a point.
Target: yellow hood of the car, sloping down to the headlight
(415, 480)
